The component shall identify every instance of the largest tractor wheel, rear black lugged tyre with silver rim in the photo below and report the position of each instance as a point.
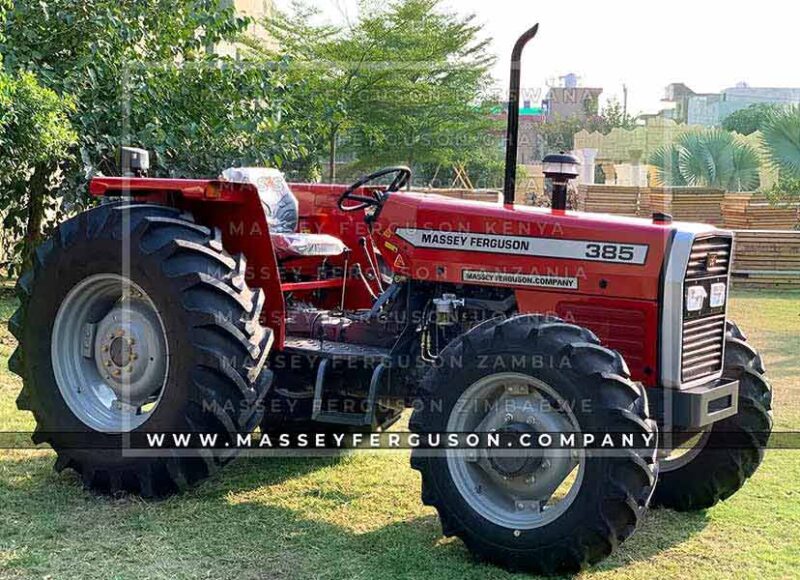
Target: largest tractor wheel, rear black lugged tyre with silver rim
(181, 311)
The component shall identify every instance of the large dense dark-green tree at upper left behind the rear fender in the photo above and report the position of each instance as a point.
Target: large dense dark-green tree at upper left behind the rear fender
(145, 73)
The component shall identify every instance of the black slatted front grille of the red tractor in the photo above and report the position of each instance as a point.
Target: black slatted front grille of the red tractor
(704, 331)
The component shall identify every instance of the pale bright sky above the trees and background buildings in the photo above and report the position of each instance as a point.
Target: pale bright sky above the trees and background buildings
(707, 45)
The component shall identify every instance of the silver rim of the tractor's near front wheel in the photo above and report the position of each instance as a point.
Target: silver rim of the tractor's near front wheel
(523, 489)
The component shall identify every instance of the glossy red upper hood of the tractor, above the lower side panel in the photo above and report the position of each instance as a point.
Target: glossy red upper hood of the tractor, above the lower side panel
(438, 238)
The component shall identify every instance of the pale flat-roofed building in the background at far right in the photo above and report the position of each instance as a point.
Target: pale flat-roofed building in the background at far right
(711, 109)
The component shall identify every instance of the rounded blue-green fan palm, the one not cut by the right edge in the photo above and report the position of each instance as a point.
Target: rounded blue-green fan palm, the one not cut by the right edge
(713, 158)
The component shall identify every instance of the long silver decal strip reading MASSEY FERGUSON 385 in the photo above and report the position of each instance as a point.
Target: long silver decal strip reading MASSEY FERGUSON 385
(597, 251)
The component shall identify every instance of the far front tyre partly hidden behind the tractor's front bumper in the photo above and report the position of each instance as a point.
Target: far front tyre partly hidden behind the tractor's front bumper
(726, 454)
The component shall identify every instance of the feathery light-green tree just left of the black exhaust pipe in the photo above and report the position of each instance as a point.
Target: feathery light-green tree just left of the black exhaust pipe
(429, 108)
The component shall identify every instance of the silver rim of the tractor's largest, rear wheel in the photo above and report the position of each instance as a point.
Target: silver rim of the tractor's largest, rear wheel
(109, 353)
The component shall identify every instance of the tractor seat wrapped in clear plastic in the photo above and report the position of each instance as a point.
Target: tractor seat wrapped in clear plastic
(281, 209)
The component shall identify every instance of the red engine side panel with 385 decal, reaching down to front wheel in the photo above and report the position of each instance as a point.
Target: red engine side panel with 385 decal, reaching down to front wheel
(598, 271)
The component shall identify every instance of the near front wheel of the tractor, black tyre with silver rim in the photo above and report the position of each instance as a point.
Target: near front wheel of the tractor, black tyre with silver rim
(532, 356)
